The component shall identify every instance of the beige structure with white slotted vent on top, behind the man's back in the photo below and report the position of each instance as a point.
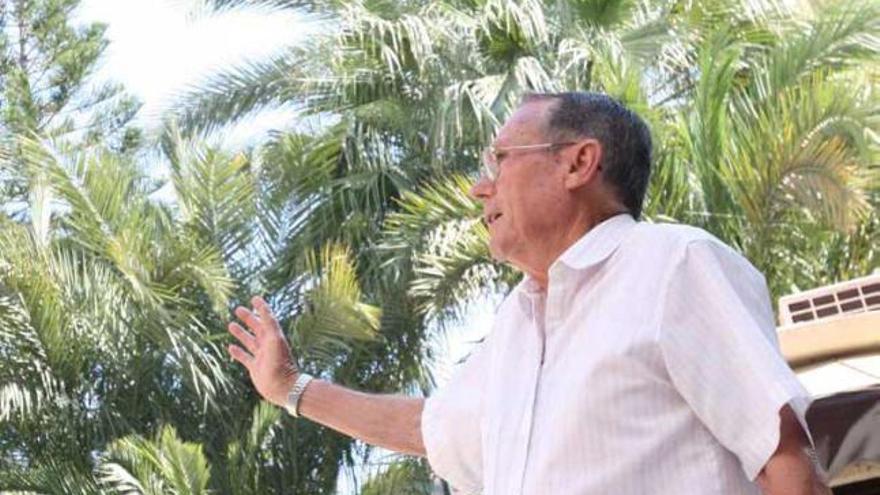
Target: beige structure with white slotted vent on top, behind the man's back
(823, 332)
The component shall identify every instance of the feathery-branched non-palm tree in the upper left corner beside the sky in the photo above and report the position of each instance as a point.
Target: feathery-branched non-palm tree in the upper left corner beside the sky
(46, 64)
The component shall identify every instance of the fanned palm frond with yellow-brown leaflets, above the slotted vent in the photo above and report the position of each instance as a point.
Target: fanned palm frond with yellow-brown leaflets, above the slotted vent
(801, 149)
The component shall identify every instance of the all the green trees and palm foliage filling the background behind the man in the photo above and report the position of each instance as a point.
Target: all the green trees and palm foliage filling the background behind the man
(114, 288)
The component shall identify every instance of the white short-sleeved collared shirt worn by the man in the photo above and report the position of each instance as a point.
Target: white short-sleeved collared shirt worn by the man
(650, 366)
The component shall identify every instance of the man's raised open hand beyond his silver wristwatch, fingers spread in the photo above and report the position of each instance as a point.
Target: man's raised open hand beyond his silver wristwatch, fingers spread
(264, 351)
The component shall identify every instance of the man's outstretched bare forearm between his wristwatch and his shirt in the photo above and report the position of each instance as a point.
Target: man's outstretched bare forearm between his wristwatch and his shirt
(389, 421)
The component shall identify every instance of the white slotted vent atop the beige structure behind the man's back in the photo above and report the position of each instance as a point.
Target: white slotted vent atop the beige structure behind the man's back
(853, 296)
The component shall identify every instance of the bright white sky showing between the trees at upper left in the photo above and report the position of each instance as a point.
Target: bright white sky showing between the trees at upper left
(160, 47)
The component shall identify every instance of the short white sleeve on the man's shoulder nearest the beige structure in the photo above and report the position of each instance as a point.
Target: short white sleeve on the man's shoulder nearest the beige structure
(719, 344)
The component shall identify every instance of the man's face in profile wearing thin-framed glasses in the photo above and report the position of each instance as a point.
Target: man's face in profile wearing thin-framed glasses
(525, 206)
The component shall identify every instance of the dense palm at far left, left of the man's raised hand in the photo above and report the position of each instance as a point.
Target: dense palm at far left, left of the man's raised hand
(102, 313)
